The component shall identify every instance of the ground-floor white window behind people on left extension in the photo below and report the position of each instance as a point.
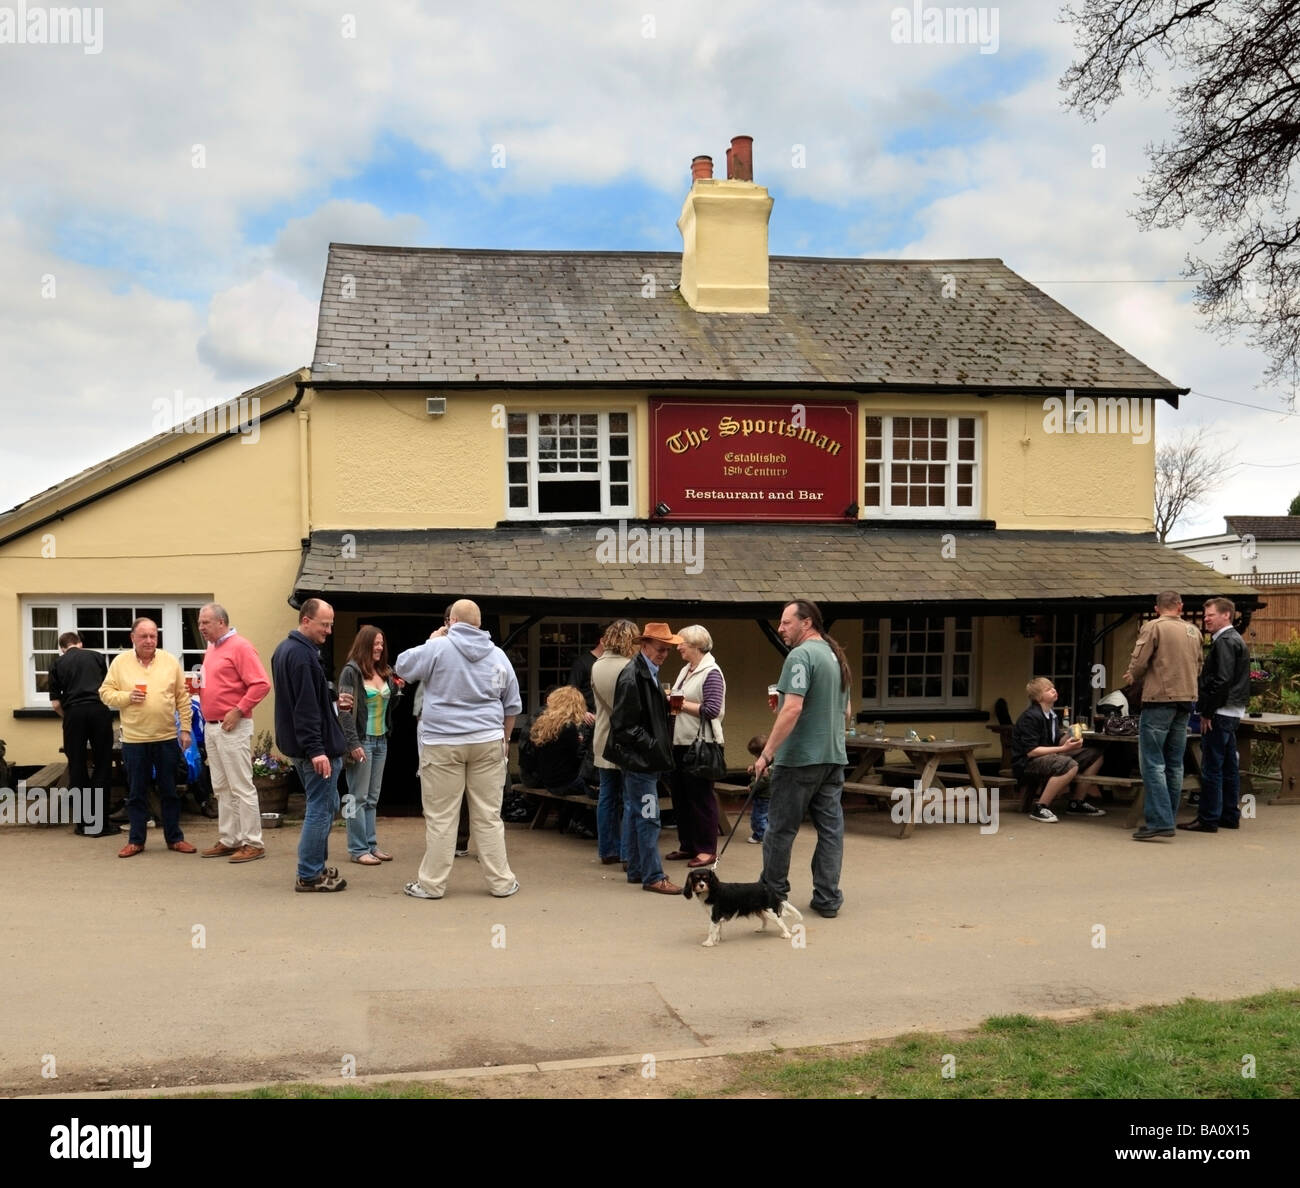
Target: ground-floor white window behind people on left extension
(105, 626)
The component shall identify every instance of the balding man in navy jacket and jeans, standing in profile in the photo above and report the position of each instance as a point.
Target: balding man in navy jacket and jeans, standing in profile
(309, 734)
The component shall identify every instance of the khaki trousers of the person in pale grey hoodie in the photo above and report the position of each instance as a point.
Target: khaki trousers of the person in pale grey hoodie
(476, 770)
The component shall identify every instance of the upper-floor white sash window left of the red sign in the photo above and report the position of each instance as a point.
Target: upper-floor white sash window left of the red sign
(569, 466)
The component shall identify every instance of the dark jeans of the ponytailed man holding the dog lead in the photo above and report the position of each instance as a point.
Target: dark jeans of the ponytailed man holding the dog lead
(817, 791)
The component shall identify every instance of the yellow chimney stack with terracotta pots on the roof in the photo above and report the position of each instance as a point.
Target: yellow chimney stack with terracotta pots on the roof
(723, 229)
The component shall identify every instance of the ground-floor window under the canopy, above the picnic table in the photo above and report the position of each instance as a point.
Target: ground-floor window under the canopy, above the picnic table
(924, 662)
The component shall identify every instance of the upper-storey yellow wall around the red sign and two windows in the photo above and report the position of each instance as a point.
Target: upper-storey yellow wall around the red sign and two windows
(449, 471)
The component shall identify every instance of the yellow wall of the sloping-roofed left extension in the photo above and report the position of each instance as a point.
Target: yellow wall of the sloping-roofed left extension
(222, 527)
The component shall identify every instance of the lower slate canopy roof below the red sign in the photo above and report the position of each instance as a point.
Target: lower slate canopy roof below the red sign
(736, 569)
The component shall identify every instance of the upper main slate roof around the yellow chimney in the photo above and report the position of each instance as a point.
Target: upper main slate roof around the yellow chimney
(460, 316)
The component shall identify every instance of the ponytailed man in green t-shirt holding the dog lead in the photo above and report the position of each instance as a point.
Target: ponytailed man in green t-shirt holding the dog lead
(805, 753)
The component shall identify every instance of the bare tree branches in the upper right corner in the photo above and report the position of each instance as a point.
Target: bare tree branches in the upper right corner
(1232, 163)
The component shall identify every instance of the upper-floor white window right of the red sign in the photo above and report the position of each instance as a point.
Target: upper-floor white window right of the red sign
(921, 467)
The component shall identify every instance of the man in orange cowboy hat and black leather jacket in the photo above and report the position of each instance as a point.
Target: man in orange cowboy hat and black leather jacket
(642, 745)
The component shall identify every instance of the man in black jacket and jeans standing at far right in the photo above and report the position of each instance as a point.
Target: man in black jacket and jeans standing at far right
(1221, 697)
